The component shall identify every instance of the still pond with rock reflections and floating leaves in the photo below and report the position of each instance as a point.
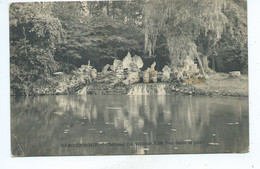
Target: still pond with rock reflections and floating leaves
(112, 125)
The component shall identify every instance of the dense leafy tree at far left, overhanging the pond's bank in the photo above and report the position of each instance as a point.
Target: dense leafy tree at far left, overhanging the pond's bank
(34, 35)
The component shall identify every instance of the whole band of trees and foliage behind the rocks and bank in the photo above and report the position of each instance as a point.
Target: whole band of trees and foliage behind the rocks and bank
(61, 36)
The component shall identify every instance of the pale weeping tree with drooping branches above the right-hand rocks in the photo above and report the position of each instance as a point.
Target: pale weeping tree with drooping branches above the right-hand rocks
(192, 27)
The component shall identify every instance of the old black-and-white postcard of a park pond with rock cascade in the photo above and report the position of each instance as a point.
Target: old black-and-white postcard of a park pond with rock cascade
(129, 77)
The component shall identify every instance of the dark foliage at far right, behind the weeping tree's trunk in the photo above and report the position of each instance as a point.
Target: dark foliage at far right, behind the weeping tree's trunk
(232, 47)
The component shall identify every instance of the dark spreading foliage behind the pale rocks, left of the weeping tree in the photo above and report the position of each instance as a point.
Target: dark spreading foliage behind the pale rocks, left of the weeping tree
(95, 34)
